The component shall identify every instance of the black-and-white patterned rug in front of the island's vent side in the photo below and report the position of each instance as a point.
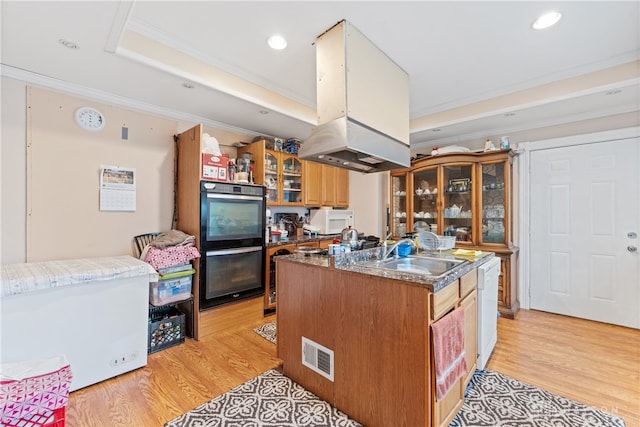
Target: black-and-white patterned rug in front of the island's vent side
(268, 400)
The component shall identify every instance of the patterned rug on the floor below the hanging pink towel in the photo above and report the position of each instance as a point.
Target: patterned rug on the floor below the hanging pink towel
(493, 399)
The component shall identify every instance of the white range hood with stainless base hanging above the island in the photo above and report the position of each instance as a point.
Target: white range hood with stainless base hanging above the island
(362, 103)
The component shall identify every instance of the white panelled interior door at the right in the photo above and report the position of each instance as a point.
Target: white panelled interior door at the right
(584, 224)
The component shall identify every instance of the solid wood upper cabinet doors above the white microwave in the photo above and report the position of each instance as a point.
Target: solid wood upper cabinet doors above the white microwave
(326, 185)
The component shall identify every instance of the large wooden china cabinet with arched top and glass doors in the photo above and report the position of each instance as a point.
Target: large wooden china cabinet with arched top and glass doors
(467, 195)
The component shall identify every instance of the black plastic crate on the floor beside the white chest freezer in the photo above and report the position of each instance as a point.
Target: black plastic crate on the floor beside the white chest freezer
(166, 328)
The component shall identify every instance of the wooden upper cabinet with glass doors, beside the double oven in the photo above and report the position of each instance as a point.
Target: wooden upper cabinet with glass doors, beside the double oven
(280, 172)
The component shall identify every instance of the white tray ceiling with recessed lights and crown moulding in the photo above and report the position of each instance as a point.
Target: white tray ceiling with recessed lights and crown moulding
(474, 67)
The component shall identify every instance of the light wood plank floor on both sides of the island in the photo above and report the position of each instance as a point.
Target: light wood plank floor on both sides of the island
(589, 362)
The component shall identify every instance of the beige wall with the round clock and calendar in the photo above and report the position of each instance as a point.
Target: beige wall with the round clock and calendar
(49, 175)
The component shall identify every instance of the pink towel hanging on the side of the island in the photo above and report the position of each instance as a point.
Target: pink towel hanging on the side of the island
(449, 353)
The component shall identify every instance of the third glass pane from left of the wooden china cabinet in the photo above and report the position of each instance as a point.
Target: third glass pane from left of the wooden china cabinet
(458, 201)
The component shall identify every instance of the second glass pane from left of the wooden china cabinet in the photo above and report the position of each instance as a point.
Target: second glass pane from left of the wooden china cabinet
(425, 200)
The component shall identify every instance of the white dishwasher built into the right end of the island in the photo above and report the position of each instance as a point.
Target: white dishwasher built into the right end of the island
(487, 309)
